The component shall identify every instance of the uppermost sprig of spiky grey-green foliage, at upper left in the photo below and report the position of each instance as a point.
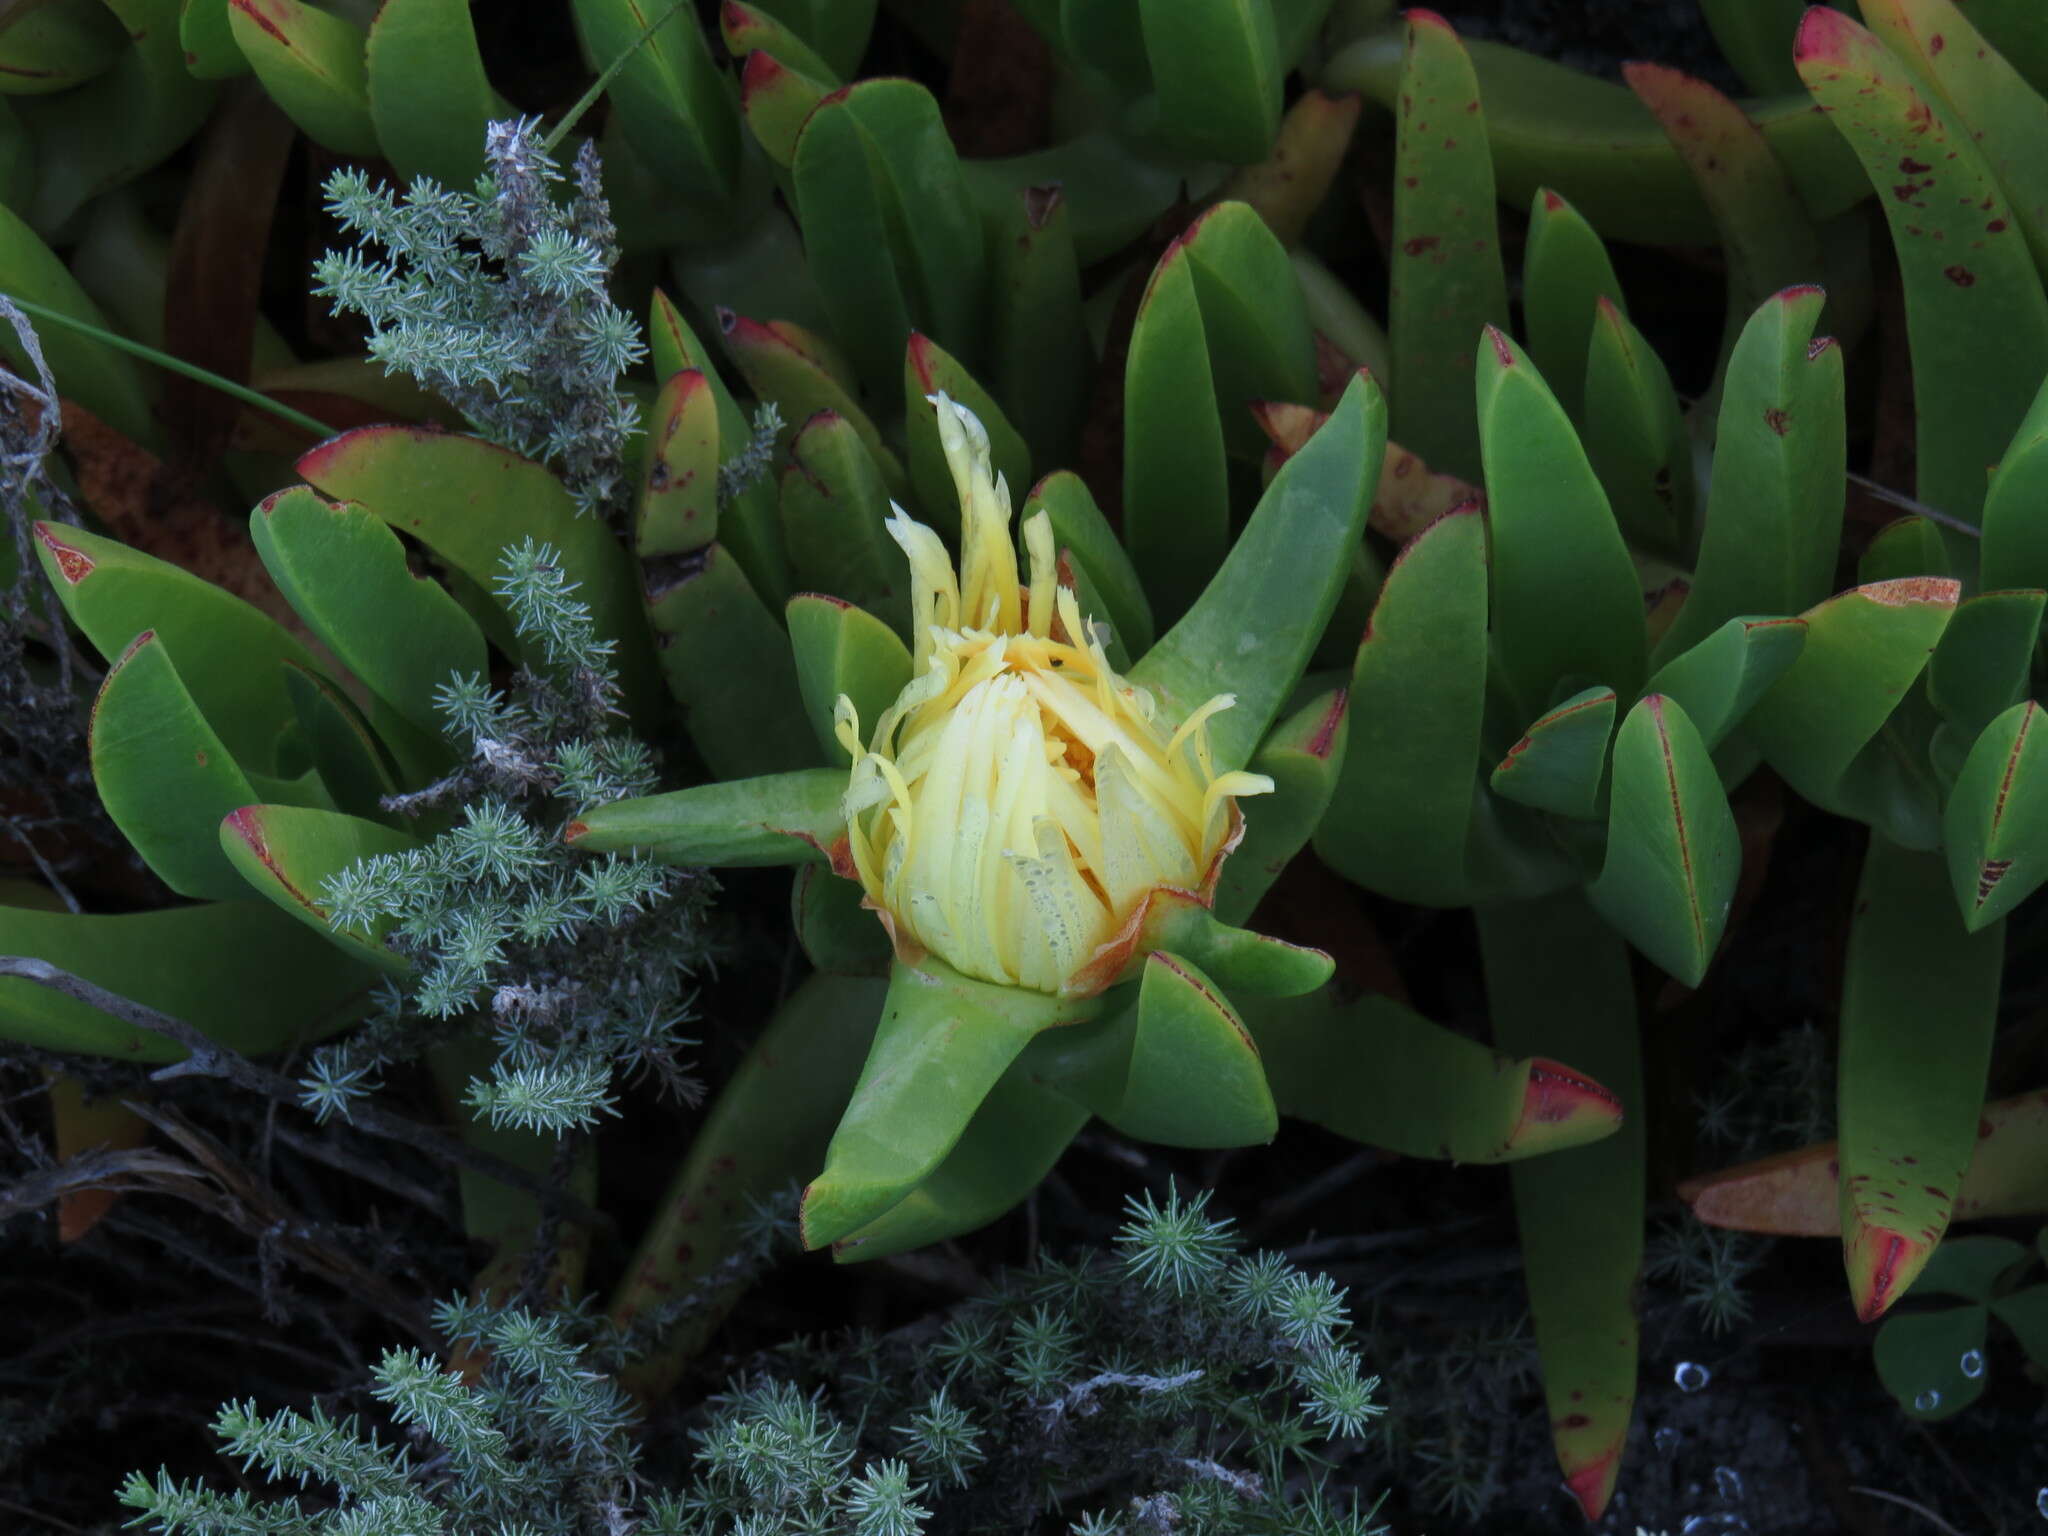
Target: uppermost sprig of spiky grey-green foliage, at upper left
(499, 302)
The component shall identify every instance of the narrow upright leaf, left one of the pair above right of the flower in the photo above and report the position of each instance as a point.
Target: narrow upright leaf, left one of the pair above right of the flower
(1177, 480)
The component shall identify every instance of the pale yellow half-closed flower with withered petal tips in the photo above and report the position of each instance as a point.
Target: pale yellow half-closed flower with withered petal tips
(1019, 804)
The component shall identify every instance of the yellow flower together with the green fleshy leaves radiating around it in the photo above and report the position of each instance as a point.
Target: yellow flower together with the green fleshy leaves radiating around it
(1041, 833)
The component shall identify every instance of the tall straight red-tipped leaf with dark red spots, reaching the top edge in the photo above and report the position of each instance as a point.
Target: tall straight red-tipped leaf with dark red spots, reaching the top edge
(1447, 282)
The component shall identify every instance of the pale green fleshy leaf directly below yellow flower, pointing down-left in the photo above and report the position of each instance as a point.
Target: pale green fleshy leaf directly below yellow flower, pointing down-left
(941, 1046)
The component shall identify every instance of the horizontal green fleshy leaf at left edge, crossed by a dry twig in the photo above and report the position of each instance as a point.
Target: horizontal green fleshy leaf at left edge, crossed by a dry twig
(241, 972)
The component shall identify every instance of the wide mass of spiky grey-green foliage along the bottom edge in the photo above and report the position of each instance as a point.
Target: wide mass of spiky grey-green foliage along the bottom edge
(1193, 1410)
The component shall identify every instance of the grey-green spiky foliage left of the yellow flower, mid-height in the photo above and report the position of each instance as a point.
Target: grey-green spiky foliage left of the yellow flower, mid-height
(583, 966)
